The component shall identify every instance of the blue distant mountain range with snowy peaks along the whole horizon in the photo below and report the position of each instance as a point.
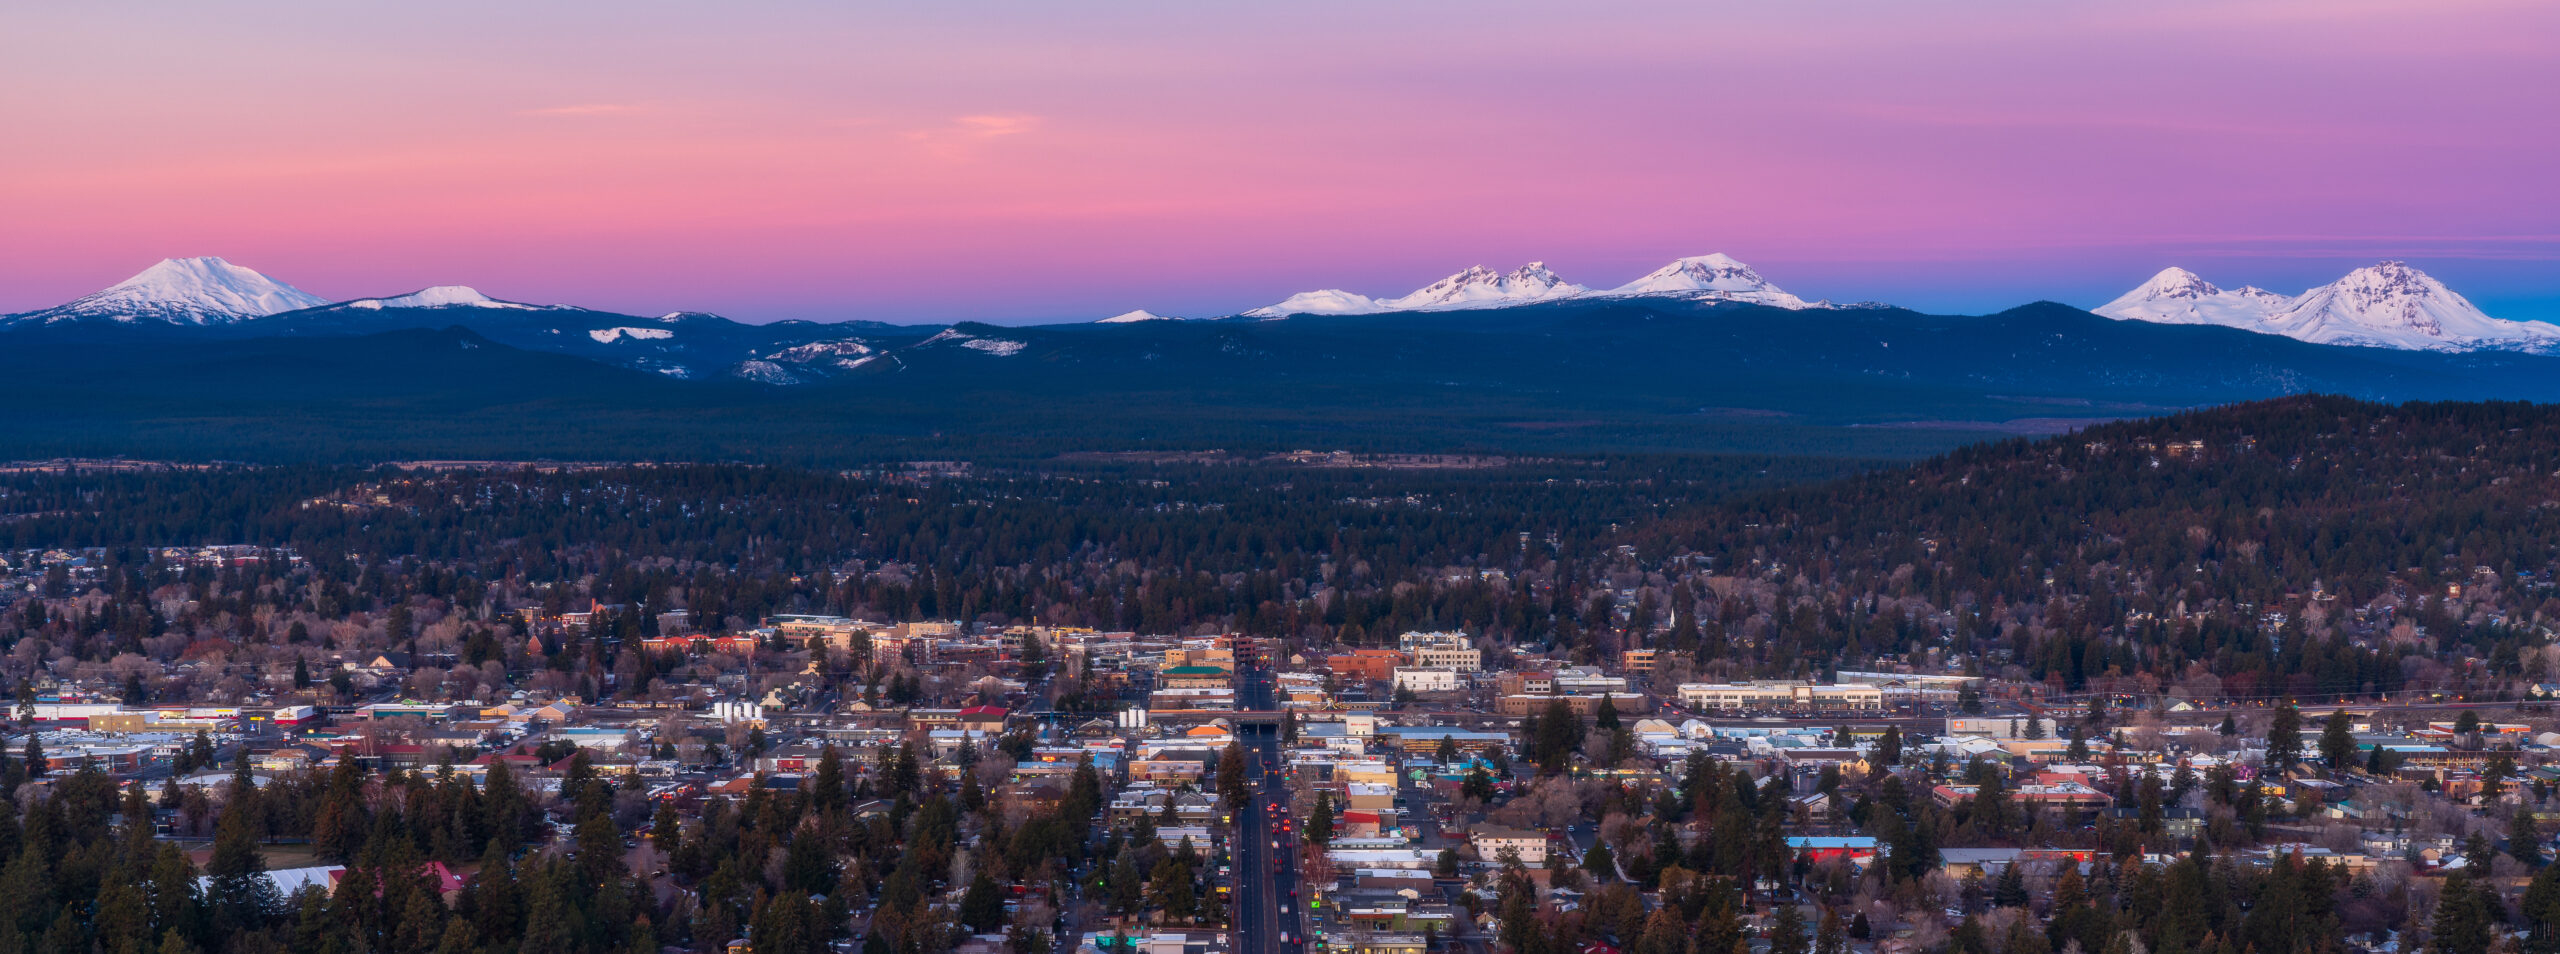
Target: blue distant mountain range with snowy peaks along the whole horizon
(198, 357)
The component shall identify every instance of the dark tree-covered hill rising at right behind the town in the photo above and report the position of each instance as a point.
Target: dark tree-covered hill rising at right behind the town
(2298, 546)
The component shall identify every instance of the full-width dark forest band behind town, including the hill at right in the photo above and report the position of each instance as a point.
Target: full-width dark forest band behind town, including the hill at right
(2303, 546)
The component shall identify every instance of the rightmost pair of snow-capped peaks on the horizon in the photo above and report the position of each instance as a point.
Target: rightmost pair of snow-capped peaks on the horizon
(2385, 306)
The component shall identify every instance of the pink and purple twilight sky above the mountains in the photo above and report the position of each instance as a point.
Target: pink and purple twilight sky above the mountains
(1076, 160)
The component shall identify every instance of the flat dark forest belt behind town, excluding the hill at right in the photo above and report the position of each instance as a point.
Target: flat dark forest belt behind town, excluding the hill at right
(1263, 549)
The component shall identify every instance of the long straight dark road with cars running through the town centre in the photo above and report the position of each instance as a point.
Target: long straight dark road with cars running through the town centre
(1266, 876)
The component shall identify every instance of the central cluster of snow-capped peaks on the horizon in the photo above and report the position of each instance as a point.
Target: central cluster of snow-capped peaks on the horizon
(1701, 278)
